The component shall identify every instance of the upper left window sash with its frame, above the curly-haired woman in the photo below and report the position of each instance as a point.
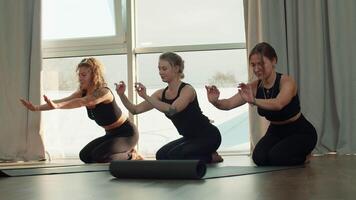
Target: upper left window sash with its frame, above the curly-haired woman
(82, 27)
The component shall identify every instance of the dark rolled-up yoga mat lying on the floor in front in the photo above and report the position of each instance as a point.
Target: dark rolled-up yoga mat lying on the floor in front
(158, 169)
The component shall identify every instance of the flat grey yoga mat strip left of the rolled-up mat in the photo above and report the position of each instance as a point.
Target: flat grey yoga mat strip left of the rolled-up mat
(52, 170)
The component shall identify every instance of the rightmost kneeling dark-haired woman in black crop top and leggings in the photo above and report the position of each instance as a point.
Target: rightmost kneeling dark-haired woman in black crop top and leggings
(290, 137)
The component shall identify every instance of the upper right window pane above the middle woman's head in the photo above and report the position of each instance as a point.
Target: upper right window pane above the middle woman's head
(189, 22)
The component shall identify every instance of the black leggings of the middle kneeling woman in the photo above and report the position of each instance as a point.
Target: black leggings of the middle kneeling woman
(192, 148)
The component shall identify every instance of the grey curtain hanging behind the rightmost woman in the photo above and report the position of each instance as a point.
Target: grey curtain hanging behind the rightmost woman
(315, 44)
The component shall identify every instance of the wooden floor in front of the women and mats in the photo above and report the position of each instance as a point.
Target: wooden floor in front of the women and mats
(326, 177)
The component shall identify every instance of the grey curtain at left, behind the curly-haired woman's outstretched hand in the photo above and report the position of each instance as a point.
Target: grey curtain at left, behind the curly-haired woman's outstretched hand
(20, 69)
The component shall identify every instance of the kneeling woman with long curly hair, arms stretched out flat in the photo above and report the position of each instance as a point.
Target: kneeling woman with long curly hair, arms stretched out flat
(121, 135)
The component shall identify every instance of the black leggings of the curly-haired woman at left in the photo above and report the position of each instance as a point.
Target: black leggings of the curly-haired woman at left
(116, 144)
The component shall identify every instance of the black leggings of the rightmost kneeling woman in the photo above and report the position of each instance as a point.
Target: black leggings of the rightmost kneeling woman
(287, 144)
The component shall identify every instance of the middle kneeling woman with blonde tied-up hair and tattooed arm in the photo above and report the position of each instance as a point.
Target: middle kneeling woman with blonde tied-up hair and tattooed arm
(178, 101)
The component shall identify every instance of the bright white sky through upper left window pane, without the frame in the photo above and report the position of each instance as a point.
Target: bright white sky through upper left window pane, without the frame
(66, 19)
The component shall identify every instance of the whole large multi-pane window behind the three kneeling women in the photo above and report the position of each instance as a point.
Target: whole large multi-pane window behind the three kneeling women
(208, 34)
